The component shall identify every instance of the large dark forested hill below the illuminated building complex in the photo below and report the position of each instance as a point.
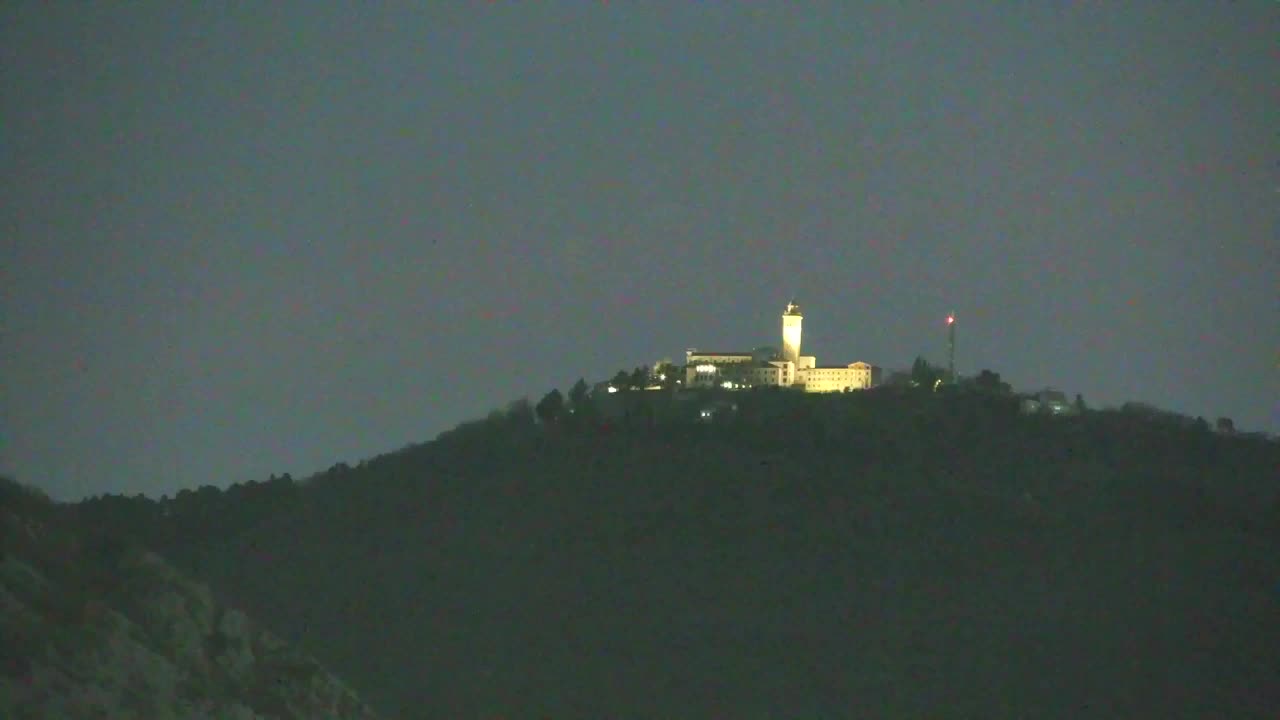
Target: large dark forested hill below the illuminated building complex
(875, 554)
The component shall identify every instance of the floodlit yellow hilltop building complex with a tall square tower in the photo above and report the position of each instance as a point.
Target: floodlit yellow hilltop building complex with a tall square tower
(769, 367)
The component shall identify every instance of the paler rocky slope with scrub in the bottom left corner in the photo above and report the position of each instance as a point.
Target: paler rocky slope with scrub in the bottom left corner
(93, 627)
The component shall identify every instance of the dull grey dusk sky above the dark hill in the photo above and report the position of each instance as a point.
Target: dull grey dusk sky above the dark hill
(244, 240)
